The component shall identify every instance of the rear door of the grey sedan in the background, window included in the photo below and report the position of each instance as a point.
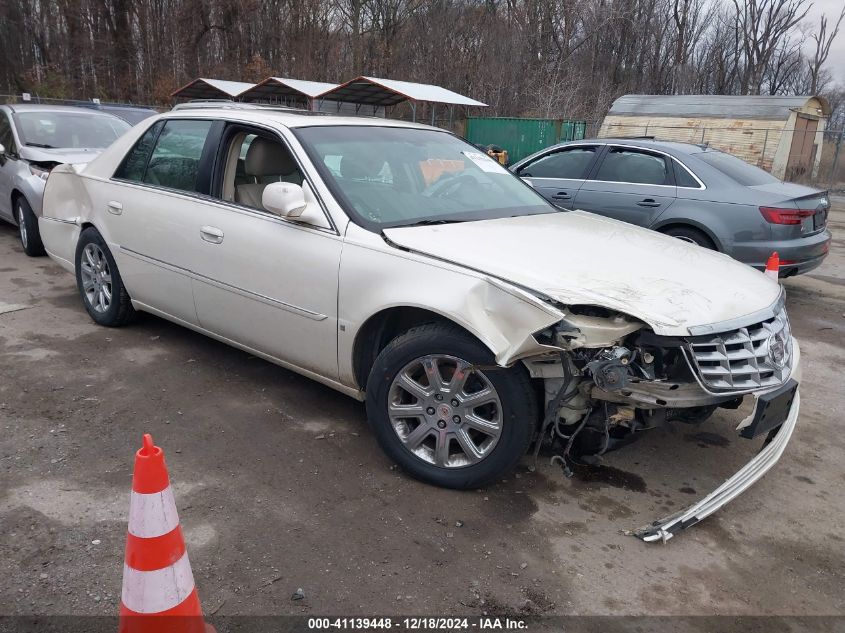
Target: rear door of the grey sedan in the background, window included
(630, 184)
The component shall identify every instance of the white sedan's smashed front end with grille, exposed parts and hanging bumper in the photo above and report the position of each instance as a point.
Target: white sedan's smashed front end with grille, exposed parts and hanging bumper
(612, 377)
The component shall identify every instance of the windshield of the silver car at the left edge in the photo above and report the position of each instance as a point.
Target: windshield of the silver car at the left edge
(68, 129)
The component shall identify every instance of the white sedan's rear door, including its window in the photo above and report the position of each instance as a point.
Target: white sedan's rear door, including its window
(151, 209)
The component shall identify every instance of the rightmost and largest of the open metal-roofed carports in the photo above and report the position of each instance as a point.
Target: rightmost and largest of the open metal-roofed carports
(378, 94)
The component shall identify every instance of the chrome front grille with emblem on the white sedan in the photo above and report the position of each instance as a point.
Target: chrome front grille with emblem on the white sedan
(745, 359)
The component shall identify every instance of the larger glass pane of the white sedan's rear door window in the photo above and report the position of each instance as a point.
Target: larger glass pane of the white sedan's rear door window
(176, 158)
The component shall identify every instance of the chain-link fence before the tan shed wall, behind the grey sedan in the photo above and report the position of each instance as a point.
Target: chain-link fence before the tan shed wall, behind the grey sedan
(799, 155)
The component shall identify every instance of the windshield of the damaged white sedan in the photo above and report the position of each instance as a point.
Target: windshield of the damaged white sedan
(387, 176)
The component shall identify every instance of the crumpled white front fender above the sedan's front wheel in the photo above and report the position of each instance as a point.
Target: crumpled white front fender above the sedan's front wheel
(375, 276)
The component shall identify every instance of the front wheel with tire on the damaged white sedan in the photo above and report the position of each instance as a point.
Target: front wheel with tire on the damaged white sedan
(444, 411)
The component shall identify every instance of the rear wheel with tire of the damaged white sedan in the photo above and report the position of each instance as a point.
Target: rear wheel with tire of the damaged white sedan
(98, 280)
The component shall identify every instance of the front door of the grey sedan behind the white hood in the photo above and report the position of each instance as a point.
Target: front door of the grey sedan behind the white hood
(558, 174)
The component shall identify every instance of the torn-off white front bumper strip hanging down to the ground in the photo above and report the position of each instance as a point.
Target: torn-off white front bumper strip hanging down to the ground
(665, 528)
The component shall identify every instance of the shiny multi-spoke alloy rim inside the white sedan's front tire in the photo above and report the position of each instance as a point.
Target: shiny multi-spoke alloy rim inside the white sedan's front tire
(444, 411)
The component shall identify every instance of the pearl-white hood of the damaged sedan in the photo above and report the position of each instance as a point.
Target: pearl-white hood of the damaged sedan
(580, 258)
